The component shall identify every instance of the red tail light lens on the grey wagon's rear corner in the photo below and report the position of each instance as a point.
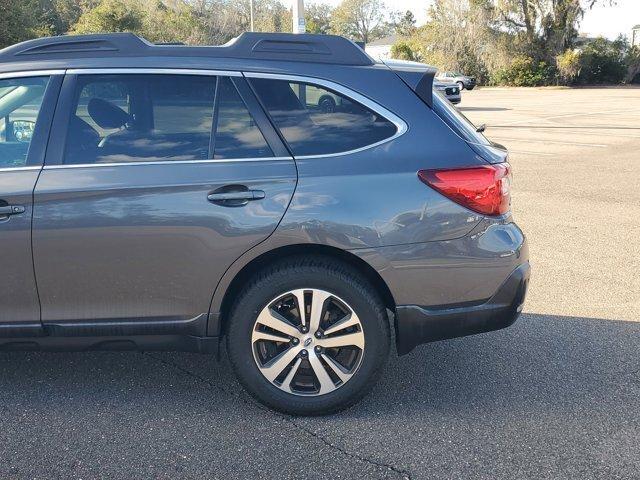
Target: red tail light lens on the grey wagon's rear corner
(484, 189)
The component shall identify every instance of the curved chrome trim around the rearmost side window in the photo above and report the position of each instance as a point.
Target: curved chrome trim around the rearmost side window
(400, 124)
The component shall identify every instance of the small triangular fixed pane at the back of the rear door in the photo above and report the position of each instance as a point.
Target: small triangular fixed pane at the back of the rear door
(237, 135)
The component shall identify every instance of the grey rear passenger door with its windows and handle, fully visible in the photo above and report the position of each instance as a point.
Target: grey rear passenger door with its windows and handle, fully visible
(140, 209)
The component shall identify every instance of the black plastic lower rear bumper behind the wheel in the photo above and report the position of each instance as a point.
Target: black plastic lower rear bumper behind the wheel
(416, 325)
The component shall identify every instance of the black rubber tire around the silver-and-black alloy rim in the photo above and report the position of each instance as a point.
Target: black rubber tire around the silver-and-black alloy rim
(319, 273)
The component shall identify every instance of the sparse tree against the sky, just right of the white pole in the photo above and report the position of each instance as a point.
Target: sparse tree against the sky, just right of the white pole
(361, 20)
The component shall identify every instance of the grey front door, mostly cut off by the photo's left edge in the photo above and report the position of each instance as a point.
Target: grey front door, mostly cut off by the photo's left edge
(26, 104)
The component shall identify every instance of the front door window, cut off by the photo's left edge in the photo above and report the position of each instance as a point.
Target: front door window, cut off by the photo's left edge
(20, 102)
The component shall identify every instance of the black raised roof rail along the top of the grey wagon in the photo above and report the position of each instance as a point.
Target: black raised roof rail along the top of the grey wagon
(256, 46)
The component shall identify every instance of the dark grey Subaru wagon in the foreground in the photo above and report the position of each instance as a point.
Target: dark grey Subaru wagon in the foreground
(169, 197)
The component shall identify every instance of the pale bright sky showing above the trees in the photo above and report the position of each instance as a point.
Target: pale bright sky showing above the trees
(606, 21)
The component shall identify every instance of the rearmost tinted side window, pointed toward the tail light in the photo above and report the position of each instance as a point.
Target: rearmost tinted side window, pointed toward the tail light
(318, 121)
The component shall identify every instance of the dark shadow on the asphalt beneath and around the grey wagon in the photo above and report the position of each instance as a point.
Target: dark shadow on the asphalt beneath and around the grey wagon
(550, 397)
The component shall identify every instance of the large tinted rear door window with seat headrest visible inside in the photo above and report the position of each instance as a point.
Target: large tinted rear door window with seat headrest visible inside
(134, 118)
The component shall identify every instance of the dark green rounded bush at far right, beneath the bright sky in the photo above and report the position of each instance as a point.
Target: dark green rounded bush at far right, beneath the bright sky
(603, 61)
